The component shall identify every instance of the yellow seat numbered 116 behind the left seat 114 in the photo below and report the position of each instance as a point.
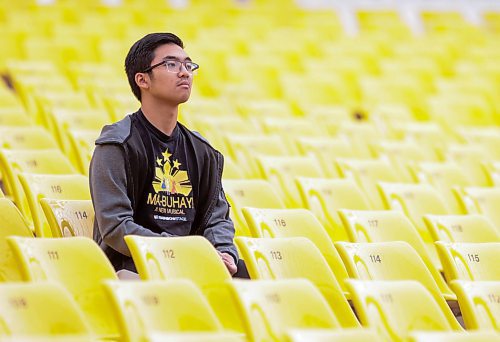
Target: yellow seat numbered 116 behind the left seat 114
(38, 186)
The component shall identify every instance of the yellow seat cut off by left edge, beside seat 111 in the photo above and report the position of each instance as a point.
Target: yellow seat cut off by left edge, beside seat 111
(11, 223)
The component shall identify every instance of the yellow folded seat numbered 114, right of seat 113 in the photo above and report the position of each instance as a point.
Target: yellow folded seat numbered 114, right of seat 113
(395, 260)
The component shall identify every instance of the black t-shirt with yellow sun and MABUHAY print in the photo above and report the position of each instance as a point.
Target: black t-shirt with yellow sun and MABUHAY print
(166, 205)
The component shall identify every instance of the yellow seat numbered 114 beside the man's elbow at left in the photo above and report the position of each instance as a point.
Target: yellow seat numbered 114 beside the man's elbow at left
(68, 218)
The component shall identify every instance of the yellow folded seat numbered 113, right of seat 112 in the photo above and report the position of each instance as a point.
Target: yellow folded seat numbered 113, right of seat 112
(287, 258)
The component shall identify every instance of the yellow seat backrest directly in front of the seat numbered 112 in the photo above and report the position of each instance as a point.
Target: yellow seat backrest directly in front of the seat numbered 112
(164, 310)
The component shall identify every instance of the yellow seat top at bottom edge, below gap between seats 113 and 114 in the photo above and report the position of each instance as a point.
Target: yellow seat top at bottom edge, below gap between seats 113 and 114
(325, 335)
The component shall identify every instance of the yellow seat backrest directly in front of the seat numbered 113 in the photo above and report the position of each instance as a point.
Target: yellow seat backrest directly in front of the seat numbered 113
(271, 307)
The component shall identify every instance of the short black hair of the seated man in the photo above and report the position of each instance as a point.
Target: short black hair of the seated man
(141, 54)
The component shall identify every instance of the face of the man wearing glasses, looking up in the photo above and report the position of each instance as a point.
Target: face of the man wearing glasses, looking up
(164, 85)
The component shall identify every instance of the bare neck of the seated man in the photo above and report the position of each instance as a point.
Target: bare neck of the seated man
(161, 115)
